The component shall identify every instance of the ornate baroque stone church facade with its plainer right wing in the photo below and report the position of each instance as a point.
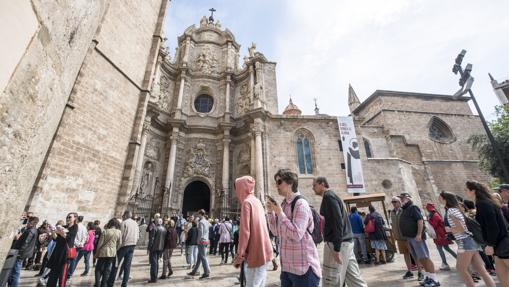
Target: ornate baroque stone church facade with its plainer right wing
(212, 119)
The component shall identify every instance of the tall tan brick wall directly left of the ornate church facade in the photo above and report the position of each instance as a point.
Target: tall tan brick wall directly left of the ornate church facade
(86, 165)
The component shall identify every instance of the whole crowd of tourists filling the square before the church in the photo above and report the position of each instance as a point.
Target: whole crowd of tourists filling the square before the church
(282, 234)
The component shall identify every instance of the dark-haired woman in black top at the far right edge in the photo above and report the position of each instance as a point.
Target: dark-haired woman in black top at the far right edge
(494, 227)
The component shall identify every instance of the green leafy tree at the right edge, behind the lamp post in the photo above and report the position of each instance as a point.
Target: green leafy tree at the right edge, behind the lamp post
(500, 130)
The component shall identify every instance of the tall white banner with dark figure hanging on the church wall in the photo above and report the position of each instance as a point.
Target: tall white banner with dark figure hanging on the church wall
(353, 165)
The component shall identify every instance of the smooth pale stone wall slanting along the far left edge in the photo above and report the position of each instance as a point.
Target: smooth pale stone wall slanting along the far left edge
(45, 60)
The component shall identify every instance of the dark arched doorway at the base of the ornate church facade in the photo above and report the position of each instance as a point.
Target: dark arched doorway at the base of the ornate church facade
(196, 197)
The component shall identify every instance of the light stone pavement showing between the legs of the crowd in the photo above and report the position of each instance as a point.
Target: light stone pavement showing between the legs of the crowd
(226, 275)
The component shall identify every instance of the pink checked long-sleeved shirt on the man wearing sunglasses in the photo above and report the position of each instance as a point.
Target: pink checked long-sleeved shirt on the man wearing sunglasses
(298, 251)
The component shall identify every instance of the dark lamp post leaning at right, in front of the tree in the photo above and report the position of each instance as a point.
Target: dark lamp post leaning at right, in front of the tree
(466, 81)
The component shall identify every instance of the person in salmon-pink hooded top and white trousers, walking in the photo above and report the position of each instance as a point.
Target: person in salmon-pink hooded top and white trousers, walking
(254, 242)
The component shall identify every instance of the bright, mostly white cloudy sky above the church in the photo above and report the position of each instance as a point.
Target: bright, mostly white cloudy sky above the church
(322, 46)
